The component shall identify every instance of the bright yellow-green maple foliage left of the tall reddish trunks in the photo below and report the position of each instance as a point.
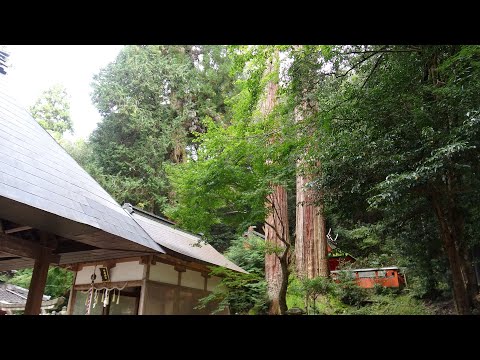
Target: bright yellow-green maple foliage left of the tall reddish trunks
(224, 185)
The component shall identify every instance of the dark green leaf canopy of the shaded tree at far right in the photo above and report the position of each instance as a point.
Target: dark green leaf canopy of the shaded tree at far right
(399, 128)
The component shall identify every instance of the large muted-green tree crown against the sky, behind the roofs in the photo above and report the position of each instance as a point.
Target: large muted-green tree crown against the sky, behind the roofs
(152, 99)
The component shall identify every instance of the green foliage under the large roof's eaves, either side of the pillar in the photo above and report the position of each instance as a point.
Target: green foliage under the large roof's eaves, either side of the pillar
(59, 281)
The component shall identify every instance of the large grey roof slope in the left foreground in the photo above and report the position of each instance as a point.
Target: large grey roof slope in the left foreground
(36, 171)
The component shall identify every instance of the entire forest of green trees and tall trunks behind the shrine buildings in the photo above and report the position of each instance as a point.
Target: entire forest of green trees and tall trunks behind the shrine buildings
(378, 144)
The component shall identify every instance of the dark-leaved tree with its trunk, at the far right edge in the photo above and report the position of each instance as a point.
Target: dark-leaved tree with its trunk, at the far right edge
(403, 128)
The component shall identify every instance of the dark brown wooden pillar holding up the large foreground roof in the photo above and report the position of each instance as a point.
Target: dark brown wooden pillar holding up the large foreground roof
(37, 284)
